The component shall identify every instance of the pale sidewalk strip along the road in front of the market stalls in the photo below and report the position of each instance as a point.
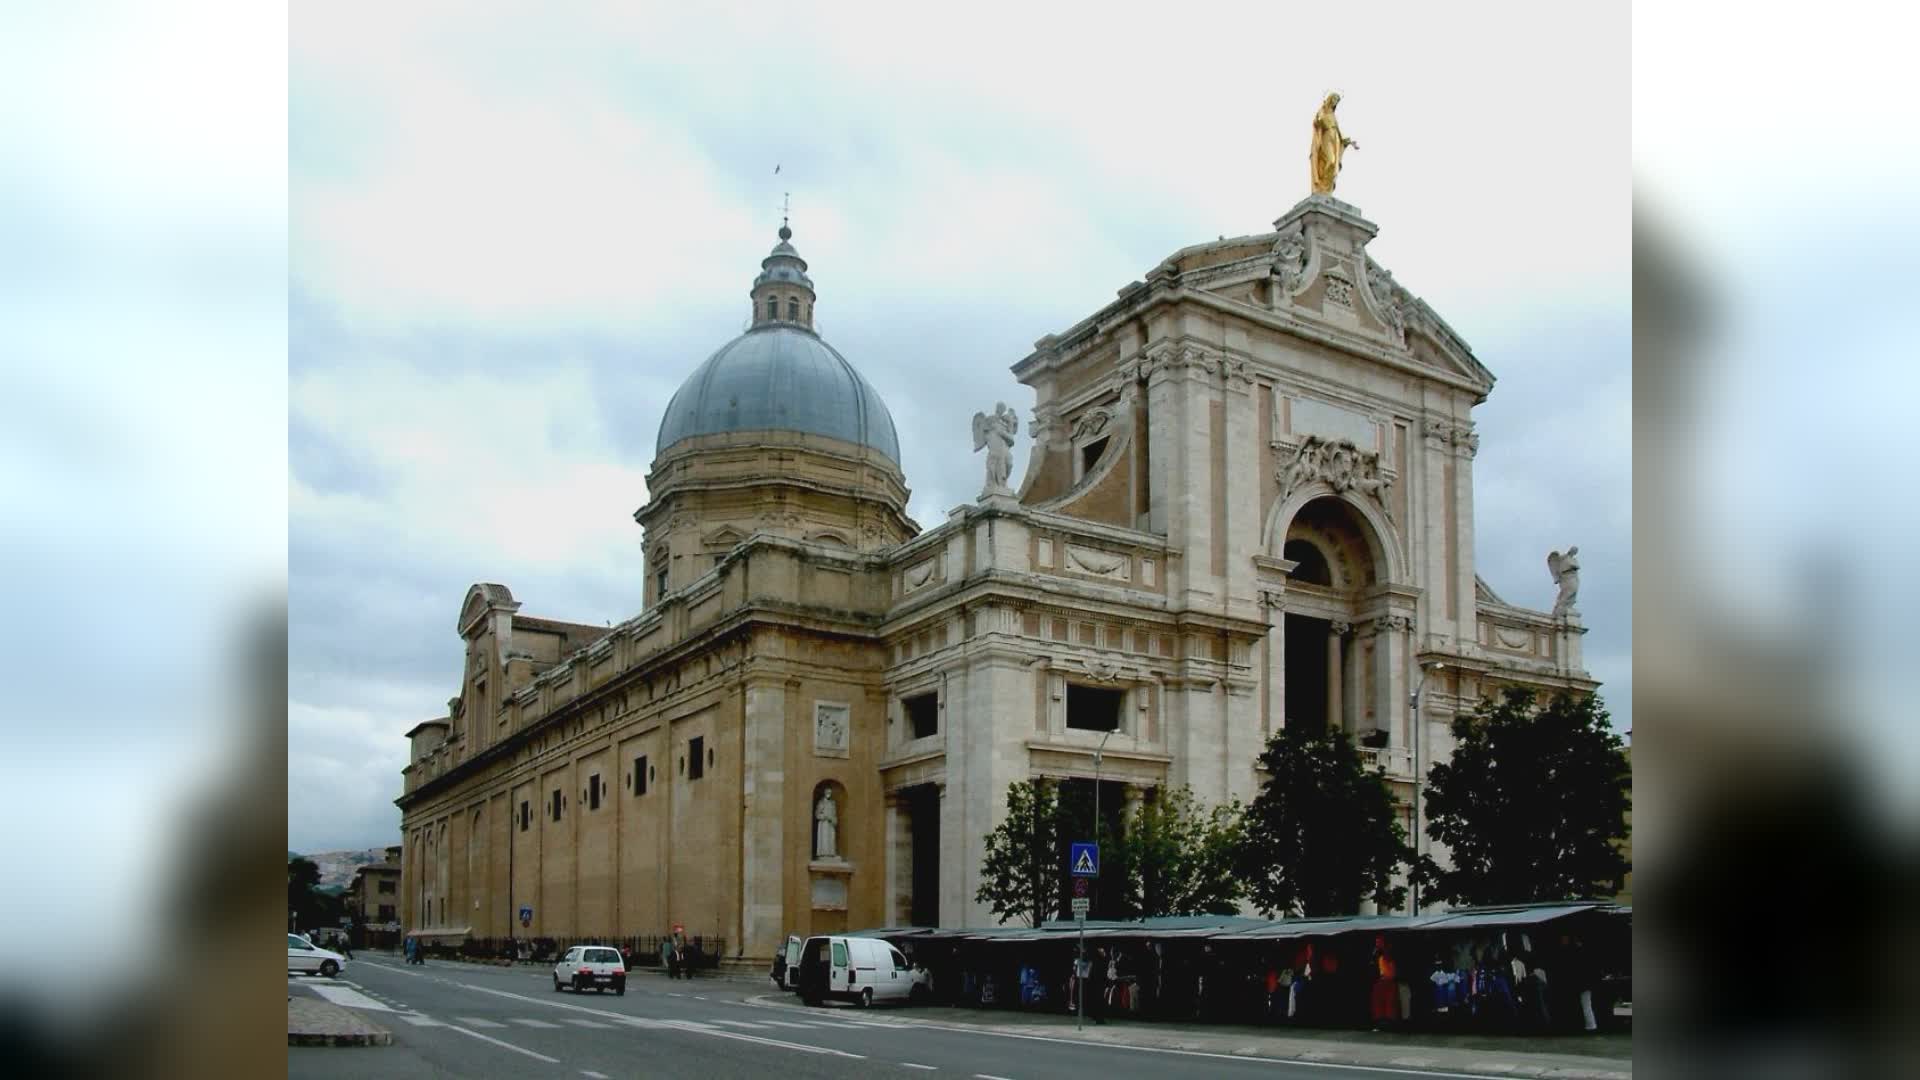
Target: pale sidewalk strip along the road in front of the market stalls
(1562, 1058)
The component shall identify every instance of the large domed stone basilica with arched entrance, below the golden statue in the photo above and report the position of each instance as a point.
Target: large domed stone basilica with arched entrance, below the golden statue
(1247, 504)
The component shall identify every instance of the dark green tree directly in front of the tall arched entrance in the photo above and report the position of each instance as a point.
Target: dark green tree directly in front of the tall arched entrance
(1322, 835)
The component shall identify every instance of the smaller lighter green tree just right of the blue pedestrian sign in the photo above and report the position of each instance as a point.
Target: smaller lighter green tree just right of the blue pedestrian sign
(1180, 860)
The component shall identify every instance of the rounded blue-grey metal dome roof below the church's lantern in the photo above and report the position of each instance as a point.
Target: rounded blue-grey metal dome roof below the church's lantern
(780, 378)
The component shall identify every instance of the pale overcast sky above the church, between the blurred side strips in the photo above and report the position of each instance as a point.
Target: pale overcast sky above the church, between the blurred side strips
(514, 235)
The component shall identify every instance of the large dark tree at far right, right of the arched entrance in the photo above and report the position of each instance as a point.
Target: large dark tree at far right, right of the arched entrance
(1531, 804)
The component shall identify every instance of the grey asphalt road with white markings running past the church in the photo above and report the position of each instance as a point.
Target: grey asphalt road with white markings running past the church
(464, 1021)
